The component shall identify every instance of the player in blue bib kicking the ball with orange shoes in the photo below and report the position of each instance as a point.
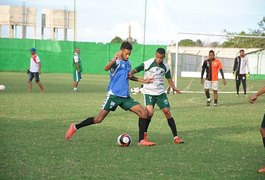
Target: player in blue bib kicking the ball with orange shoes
(118, 95)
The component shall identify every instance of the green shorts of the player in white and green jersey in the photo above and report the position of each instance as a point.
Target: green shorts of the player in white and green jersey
(161, 100)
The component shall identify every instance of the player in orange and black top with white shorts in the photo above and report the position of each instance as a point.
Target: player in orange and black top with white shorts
(212, 65)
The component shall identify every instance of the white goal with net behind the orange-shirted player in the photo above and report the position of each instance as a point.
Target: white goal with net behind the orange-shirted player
(186, 61)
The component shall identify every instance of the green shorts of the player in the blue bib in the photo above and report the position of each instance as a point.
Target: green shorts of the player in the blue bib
(112, 102)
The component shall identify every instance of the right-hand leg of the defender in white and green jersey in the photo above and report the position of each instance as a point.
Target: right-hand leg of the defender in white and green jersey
(163, 104)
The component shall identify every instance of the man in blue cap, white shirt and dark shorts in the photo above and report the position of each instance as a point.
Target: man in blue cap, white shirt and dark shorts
(34, 70)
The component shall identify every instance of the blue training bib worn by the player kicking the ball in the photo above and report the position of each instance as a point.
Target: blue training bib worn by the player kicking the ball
(119, 82)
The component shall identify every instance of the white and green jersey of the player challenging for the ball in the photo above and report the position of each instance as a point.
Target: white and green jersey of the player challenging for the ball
(156, 71)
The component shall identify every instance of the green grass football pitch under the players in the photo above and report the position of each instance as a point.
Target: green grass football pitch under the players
(220, 143)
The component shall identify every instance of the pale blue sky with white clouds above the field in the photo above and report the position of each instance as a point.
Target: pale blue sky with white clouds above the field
(102, 20)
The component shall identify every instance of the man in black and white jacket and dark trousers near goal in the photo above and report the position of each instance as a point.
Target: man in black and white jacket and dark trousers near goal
(240, 69)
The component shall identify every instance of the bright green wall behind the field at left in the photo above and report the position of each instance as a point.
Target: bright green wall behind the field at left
(56, 56)
